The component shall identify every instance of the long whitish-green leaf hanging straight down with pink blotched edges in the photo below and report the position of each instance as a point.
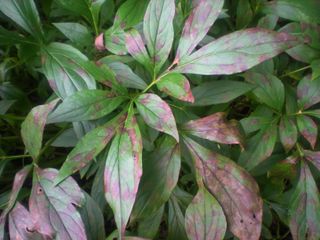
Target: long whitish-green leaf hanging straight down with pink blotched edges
(123, 170)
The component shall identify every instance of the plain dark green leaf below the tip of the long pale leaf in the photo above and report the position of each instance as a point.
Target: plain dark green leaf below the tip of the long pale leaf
(269, 89)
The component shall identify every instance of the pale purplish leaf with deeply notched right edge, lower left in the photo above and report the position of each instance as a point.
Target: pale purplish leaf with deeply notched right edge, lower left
(54, 208)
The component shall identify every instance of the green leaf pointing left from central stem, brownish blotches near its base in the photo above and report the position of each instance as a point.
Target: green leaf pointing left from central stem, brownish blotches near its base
(85, 105)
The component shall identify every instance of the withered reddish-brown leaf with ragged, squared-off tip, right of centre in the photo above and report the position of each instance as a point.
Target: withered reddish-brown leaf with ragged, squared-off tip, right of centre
(214, 127)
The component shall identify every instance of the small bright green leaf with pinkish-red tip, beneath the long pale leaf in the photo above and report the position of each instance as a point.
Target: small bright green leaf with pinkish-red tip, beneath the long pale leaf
(176, 85)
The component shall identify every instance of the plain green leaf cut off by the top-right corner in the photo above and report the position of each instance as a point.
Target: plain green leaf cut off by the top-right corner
(295, 10)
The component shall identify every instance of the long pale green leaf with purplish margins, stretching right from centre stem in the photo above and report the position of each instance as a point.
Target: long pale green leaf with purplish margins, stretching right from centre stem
(236, 52)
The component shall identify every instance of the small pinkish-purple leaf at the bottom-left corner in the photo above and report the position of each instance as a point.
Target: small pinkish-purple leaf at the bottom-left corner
(21, 226)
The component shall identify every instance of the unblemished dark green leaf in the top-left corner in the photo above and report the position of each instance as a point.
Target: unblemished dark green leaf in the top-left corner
(25, 14)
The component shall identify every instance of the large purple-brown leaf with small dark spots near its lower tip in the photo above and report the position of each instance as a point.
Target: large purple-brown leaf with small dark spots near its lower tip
(233, 187)
